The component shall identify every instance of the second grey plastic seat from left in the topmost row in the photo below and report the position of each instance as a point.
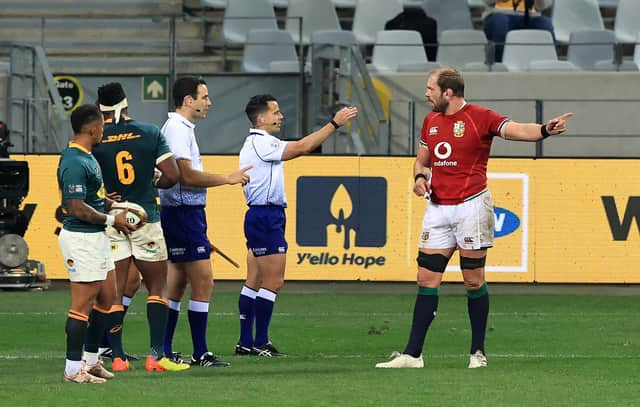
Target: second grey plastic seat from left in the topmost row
(316, 15)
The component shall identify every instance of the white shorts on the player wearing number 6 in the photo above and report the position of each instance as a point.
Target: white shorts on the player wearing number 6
(146, 243)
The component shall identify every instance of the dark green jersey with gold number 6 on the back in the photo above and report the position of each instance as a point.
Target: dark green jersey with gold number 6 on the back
(128, 154)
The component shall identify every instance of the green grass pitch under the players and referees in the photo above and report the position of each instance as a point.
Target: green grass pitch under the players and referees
(563, 349)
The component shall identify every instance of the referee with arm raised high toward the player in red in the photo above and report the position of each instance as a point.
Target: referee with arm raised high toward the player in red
(264, 222)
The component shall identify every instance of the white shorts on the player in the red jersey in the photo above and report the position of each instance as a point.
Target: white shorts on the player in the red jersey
(468, 225)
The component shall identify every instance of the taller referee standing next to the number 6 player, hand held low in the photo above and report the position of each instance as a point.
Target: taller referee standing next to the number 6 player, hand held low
(184, 220)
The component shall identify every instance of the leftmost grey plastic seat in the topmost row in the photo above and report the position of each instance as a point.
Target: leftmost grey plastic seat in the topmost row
(242, 16)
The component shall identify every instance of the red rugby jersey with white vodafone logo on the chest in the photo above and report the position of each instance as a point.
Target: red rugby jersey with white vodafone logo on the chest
(459, 146)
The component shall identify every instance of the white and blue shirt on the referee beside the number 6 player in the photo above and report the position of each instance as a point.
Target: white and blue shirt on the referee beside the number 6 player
(181, 138)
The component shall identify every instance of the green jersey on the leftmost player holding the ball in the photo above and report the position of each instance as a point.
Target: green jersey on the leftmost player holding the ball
(79, 177)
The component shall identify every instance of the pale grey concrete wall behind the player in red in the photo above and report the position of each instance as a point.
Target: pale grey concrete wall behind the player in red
(606, 108)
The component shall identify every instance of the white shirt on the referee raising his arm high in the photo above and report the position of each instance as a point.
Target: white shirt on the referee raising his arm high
(264, 152)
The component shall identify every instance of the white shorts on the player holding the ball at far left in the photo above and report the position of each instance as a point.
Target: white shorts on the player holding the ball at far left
(87, 256)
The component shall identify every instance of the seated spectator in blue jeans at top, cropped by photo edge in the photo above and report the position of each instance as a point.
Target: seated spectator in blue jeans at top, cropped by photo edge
(506, 15)
